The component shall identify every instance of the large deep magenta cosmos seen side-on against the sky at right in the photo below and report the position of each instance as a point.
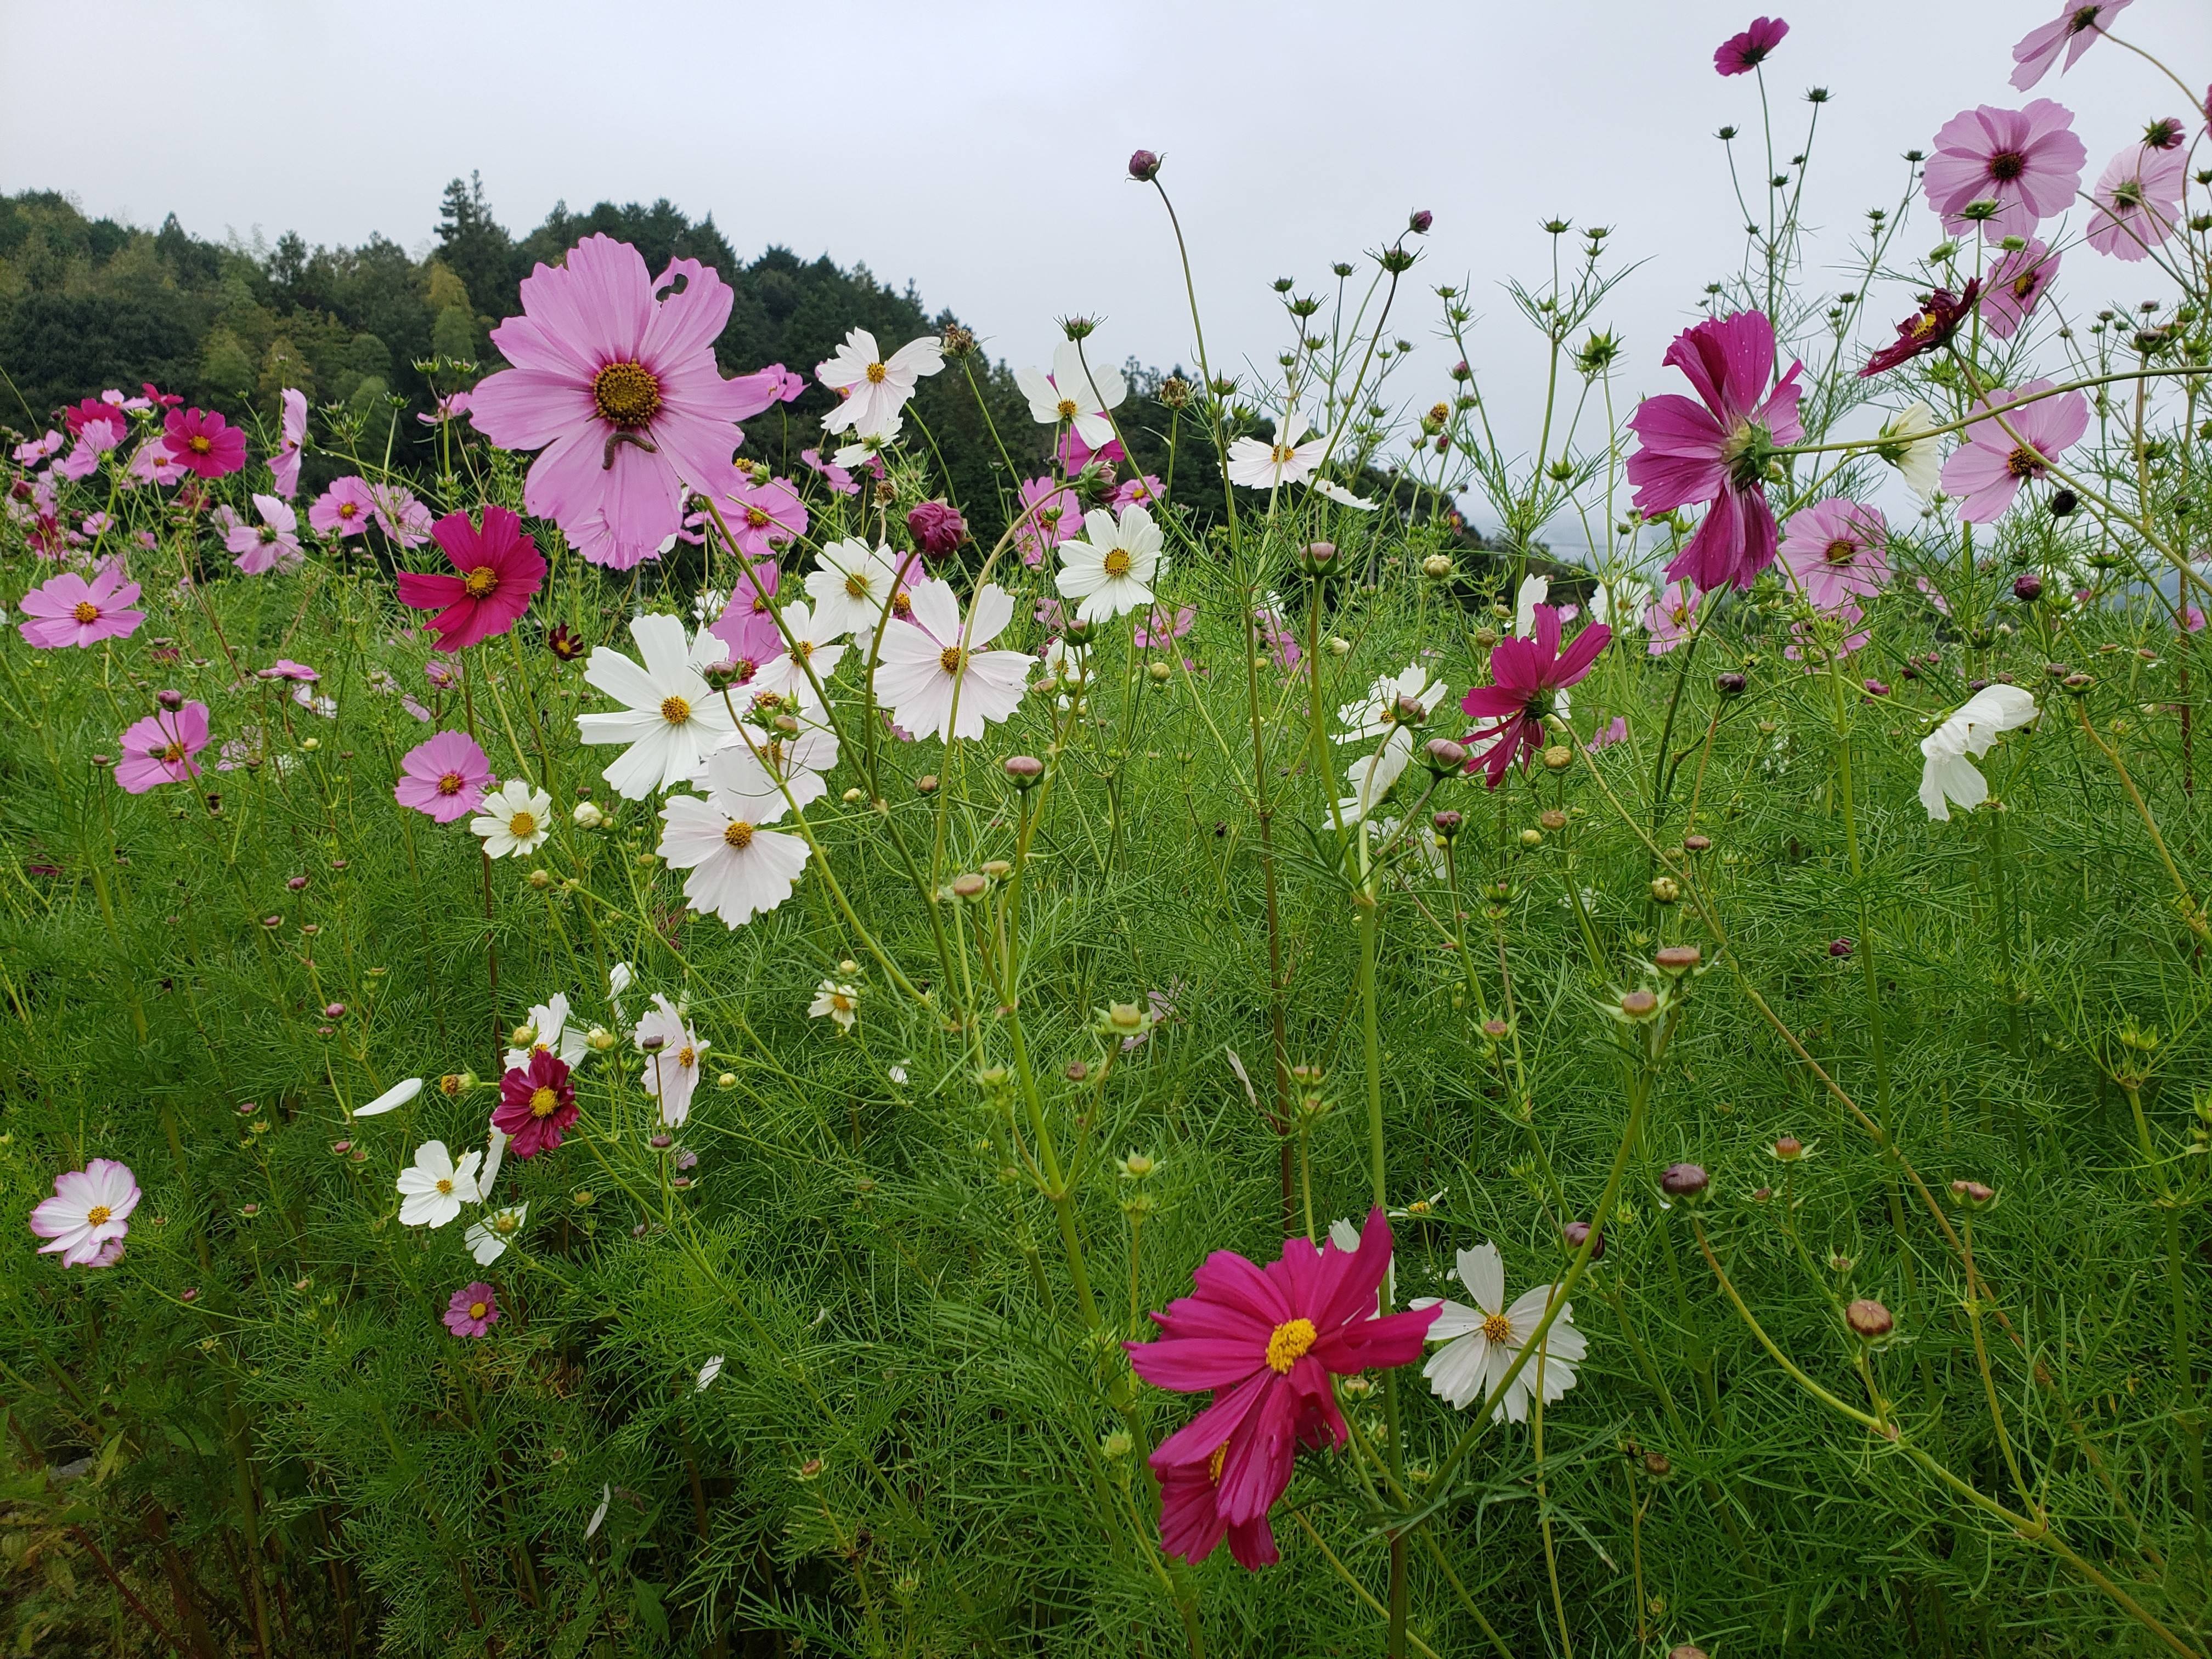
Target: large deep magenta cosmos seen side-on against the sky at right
(1718, 450)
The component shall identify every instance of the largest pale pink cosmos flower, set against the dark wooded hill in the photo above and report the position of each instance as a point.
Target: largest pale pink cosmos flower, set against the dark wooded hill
(614, 379)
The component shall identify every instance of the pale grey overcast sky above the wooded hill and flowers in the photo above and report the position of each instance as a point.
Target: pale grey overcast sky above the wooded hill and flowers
(979, 149)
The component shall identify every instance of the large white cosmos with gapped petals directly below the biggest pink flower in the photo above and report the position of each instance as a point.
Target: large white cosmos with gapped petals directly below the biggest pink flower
(671, 718)
